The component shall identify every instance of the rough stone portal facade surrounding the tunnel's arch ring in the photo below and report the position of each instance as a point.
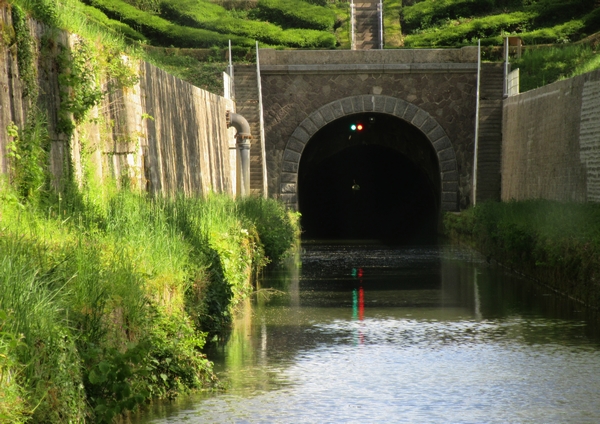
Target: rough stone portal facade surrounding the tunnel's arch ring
(441, 83)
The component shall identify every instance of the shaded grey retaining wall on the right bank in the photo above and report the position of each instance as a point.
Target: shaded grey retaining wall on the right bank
(551, 142)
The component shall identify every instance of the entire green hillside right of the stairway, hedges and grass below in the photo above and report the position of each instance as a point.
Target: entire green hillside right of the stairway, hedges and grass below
(551, 26)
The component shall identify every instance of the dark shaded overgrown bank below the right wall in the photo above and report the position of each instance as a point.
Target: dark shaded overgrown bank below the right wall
(555, 243)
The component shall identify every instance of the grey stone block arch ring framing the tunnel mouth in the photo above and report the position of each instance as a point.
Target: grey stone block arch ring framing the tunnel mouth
(379, 104)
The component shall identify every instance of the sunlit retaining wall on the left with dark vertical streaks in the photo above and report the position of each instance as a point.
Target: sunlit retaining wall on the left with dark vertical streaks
(163, 135)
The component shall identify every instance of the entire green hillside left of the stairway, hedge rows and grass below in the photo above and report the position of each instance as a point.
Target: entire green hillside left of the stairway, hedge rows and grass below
(184, 28)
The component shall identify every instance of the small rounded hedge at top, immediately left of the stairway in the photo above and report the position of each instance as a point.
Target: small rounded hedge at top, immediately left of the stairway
(295, 14)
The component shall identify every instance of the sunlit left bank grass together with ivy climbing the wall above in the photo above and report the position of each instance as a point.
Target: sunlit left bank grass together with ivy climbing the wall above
(107, 295)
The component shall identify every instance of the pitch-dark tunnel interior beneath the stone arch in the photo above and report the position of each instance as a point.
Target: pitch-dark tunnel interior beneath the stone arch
(380, 183)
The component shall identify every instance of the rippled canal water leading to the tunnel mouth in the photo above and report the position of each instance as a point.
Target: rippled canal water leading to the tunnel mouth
(428, 334)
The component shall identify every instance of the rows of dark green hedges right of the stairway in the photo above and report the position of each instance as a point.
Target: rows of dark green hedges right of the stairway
(462, 22)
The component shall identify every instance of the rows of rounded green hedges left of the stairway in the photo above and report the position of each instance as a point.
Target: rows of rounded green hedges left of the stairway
(184, 23)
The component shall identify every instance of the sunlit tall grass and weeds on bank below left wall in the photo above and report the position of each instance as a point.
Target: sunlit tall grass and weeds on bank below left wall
(106, 304)
